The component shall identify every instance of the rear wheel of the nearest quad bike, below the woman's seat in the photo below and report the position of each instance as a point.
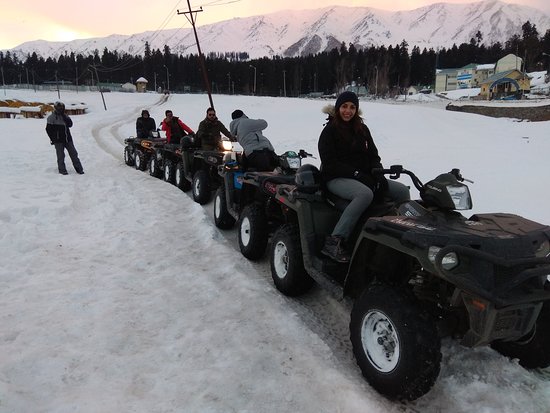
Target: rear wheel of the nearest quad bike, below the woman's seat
(287, 263)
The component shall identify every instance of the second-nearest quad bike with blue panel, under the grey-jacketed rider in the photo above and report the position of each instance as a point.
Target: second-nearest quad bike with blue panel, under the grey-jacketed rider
(246, 198)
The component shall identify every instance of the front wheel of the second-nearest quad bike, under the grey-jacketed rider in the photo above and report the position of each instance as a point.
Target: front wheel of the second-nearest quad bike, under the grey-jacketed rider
(252, 232)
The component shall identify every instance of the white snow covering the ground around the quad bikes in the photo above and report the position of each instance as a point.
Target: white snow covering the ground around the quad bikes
(118, 293)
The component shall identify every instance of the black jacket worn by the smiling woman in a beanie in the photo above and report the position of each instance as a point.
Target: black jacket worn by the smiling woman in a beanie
(344, 151)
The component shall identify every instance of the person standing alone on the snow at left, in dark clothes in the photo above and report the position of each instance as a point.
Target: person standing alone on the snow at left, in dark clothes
(57, 128)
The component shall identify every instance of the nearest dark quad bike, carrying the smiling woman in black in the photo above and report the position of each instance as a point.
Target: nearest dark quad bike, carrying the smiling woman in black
(421, 271)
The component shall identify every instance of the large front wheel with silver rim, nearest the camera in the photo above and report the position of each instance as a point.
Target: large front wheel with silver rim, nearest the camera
(395, 343)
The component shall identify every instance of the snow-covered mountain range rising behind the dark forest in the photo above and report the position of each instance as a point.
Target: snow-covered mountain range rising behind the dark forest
(293, 33)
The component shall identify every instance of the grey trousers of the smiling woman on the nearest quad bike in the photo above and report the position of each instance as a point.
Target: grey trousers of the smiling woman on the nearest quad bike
(361, 197)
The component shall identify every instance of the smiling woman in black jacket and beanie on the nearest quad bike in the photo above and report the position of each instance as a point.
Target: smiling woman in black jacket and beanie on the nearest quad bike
(348, 155)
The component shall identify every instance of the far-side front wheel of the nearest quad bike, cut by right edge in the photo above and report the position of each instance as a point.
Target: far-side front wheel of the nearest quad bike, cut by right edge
(532, 351)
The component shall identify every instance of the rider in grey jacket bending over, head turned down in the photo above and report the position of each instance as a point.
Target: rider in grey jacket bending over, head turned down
(258, 151)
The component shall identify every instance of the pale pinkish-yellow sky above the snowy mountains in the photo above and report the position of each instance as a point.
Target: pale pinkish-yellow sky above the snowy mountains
(66, 20)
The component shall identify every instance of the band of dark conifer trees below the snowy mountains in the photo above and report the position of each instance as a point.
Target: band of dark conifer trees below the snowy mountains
(386, 70)
